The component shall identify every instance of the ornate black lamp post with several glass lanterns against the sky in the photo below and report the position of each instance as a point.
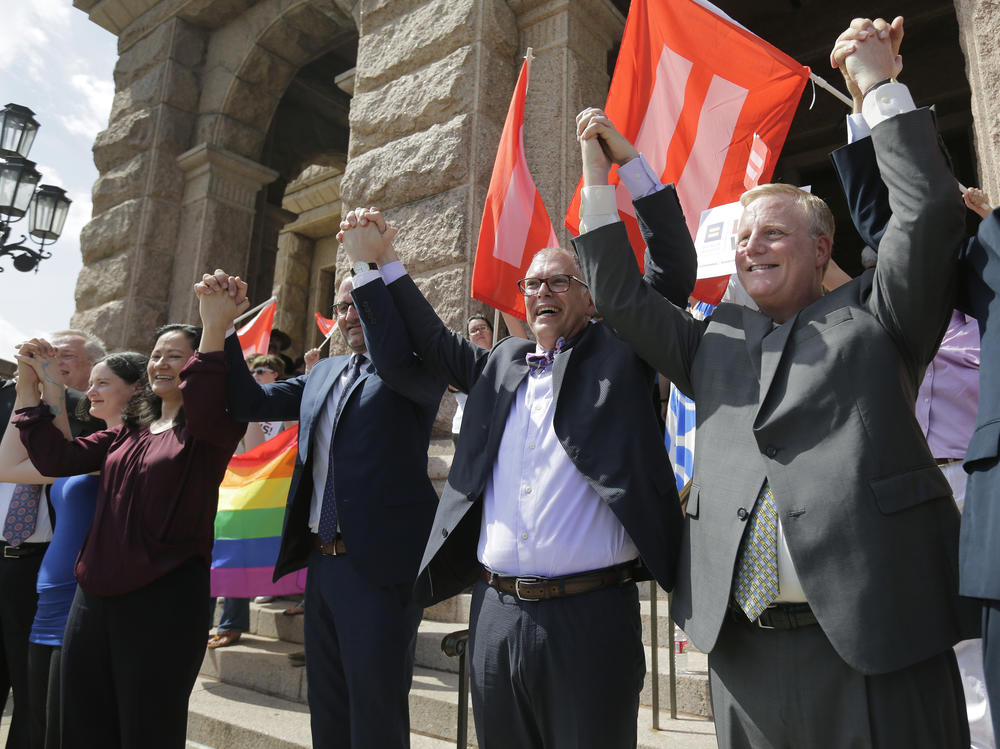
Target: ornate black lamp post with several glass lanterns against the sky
(21, 194)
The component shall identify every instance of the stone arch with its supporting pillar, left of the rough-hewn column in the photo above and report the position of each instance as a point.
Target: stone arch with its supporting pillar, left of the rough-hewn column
(249, 66)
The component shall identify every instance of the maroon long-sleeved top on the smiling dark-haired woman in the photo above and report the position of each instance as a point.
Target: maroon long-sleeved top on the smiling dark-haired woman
(158, 493)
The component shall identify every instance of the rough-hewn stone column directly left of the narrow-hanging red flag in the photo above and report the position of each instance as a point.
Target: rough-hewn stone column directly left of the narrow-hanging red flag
(431, 91)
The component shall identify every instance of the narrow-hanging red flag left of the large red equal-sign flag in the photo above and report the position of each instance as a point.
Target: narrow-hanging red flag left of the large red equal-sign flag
(515, 224)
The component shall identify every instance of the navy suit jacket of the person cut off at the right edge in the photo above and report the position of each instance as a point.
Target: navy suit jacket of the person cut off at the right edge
(978, 279)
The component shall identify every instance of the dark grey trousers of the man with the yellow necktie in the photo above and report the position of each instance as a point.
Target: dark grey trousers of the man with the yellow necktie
(774, 689)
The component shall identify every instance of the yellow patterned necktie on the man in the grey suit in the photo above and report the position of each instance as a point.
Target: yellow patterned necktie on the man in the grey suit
(757, 567)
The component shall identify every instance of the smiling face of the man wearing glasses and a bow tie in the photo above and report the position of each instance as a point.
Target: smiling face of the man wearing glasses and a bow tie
(550, 315)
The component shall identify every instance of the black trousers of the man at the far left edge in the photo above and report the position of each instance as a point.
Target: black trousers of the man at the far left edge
(18, 601)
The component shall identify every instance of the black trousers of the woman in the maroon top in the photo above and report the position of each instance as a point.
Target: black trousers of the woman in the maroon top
(129, 663)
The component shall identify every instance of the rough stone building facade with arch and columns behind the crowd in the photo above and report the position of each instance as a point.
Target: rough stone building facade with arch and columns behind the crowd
(241, 129)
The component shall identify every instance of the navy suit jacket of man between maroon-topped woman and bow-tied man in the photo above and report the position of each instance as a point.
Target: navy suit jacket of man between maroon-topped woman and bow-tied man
(385, 500)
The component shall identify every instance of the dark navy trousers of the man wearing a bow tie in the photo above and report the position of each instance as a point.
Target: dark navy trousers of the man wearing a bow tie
(558, 674)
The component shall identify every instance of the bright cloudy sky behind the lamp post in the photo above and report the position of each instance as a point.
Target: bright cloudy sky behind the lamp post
(59, 64)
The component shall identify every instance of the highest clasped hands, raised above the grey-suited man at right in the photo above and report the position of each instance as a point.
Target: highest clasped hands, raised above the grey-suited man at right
(867, 53)
